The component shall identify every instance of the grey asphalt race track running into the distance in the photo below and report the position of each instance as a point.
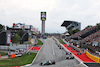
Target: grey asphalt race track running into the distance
(51, 51)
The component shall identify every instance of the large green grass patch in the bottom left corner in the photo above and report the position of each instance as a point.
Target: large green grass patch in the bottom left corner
(18, 61)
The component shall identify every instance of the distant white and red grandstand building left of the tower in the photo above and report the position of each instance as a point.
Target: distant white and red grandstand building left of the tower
(19, 26)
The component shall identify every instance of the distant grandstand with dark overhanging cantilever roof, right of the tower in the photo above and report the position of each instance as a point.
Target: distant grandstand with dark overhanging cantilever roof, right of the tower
(71, 27)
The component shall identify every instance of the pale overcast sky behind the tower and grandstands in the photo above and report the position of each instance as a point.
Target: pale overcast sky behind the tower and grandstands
(87, 12)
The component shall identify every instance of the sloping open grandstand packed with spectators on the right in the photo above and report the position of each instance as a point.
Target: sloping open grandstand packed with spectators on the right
(88, 38)
